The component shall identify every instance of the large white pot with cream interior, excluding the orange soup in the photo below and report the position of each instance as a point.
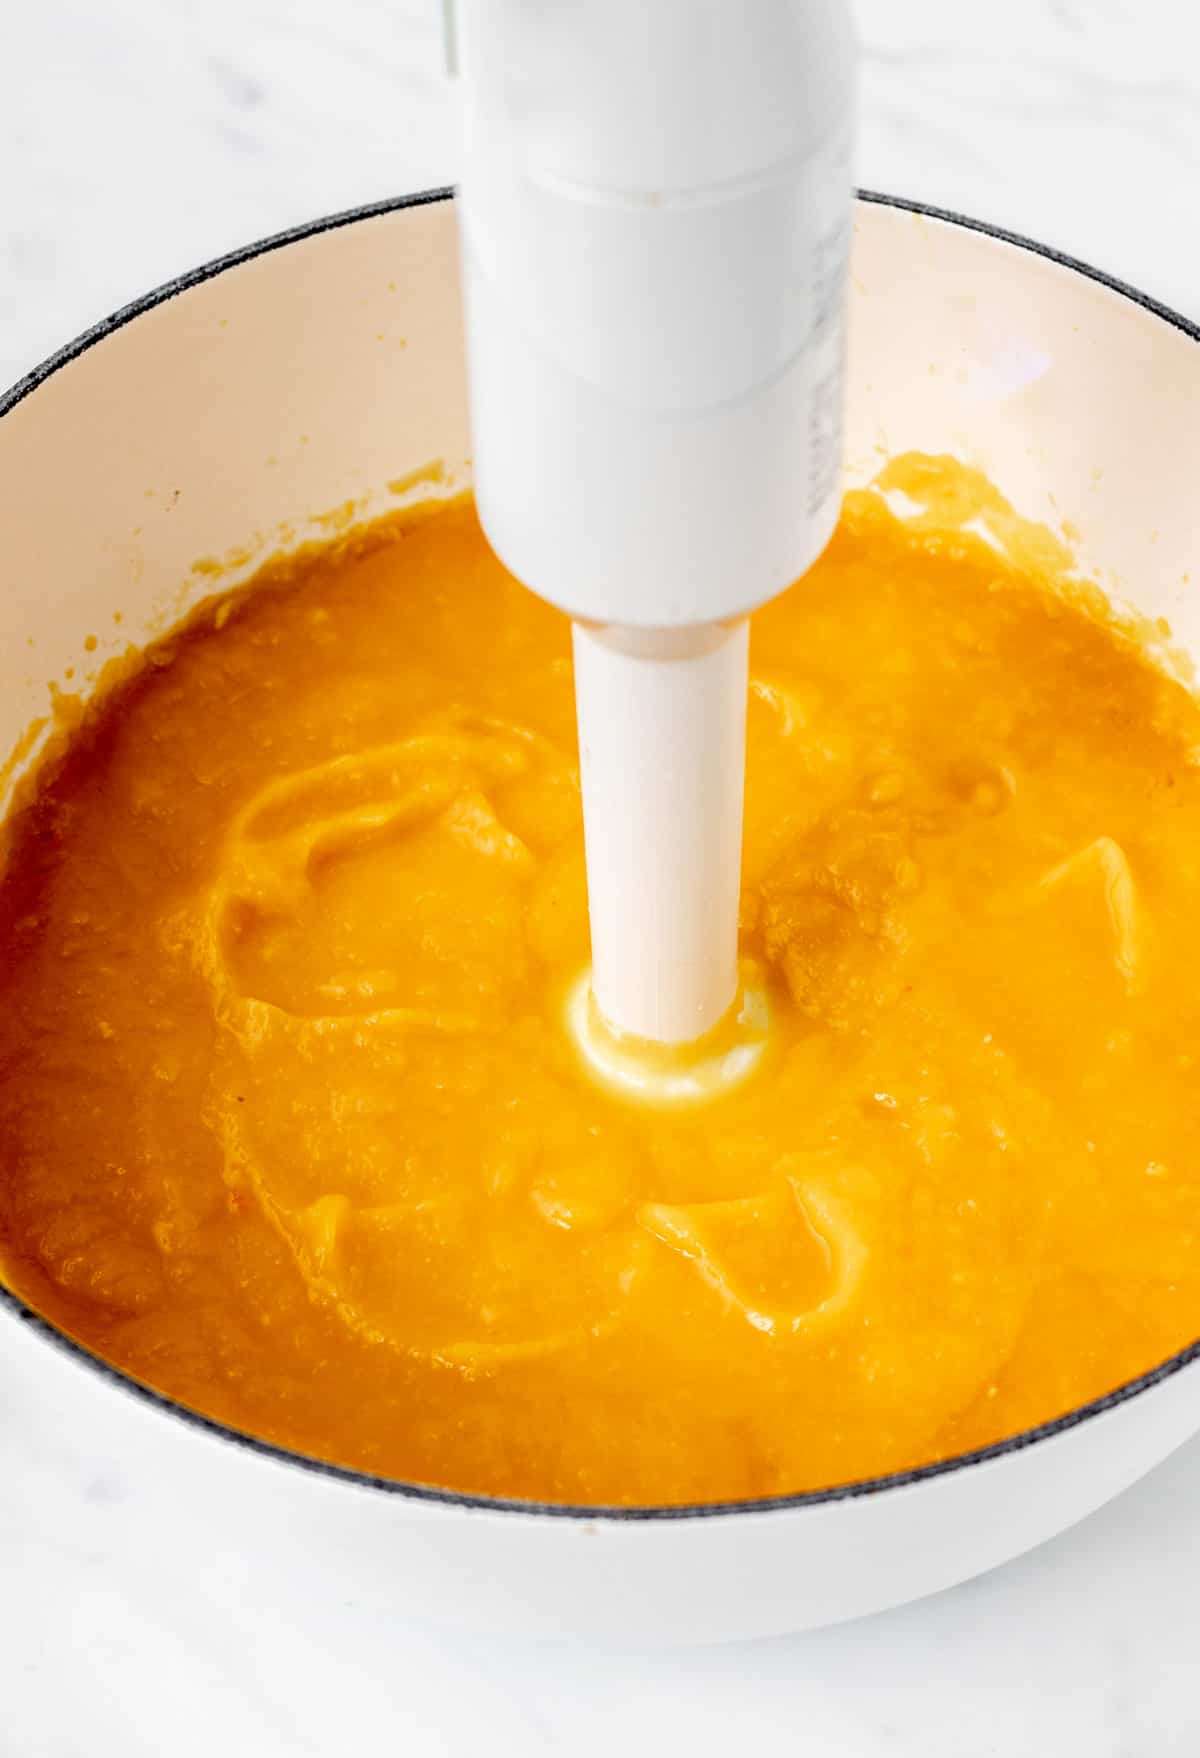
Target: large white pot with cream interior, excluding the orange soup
(321, 367)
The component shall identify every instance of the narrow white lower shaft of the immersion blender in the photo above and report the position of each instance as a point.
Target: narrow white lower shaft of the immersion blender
(661, 722)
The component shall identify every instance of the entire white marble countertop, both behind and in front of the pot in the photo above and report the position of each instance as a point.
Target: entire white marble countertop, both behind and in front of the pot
(143, 136)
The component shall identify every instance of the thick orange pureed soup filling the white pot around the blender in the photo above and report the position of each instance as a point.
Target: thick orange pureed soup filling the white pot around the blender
(293, 1131)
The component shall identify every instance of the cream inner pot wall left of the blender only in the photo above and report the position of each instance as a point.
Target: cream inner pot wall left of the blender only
(224, 425)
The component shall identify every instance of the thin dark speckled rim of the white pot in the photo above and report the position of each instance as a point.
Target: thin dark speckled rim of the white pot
(423, 1493)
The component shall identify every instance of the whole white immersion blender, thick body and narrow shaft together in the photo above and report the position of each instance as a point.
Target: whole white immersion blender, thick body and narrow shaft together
(656, 215)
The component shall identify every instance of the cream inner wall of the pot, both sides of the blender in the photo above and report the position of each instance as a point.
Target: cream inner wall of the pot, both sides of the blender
(314, 375)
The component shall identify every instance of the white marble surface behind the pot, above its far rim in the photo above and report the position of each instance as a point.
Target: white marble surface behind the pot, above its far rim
(140, 138)
